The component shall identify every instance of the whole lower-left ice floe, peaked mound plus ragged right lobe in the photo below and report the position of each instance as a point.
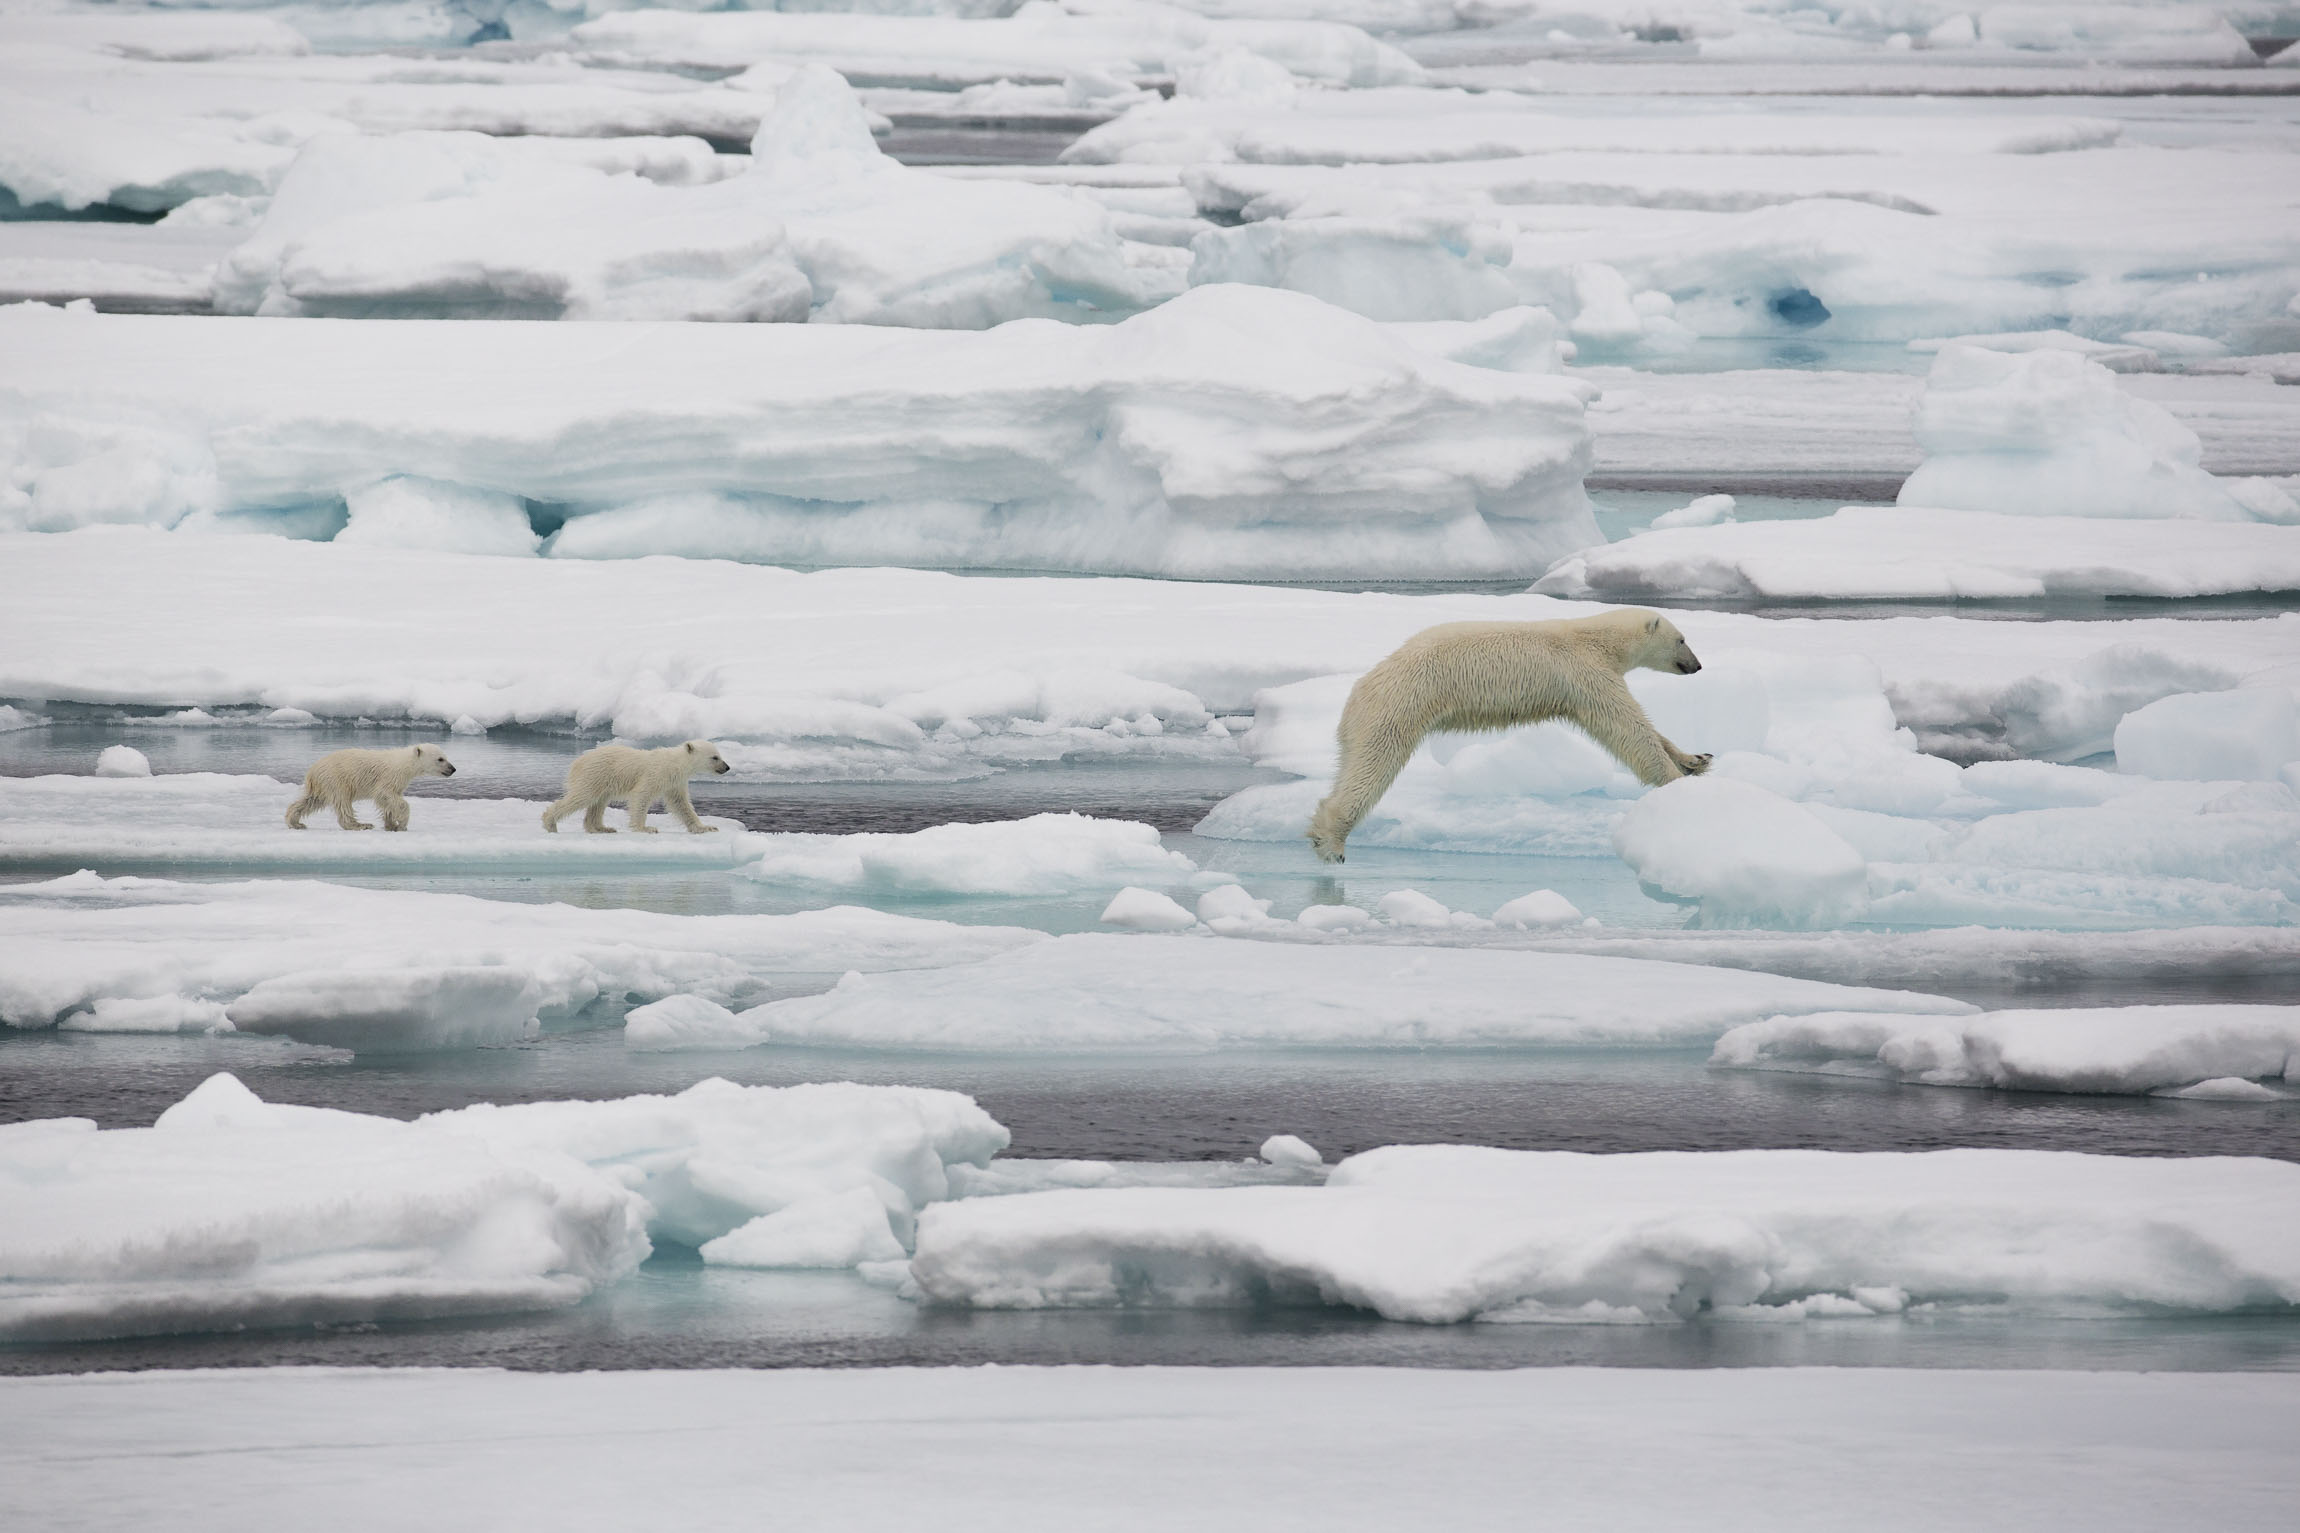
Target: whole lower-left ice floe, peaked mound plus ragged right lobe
(231, 1212)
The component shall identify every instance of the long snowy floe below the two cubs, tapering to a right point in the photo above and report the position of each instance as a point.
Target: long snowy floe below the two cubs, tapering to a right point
(314, 960)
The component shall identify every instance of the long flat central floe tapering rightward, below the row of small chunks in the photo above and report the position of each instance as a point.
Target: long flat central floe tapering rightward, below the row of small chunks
(1179, 992)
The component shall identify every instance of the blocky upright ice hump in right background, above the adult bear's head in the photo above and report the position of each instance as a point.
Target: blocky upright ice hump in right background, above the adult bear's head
(2053, 436)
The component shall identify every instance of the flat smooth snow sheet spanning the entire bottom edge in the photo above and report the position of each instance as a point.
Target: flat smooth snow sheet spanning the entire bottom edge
(215, 1451)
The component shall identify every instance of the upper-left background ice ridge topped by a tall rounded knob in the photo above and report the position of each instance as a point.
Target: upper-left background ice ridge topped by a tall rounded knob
(818, 226)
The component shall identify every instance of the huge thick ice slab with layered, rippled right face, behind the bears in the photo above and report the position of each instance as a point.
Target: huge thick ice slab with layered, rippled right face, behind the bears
(1234, 431)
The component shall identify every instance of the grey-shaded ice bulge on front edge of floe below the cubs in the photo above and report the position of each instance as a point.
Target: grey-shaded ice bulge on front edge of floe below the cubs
(401, 1010)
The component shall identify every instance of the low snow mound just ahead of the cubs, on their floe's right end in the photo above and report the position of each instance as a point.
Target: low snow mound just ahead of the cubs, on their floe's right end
(1048, 854)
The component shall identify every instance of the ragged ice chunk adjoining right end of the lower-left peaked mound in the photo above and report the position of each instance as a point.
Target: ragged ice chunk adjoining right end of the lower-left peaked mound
(719, 1155)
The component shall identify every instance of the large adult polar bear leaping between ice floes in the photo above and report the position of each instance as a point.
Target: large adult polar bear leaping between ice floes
(1498, 675)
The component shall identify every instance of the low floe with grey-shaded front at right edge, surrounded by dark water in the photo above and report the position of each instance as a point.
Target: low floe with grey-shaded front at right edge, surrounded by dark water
(2115, 1049)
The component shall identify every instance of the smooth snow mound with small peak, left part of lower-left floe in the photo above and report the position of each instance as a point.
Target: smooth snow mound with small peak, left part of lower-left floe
(233, 1215)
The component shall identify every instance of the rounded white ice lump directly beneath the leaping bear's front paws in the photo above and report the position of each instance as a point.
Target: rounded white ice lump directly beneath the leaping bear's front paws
(1747, 856)
